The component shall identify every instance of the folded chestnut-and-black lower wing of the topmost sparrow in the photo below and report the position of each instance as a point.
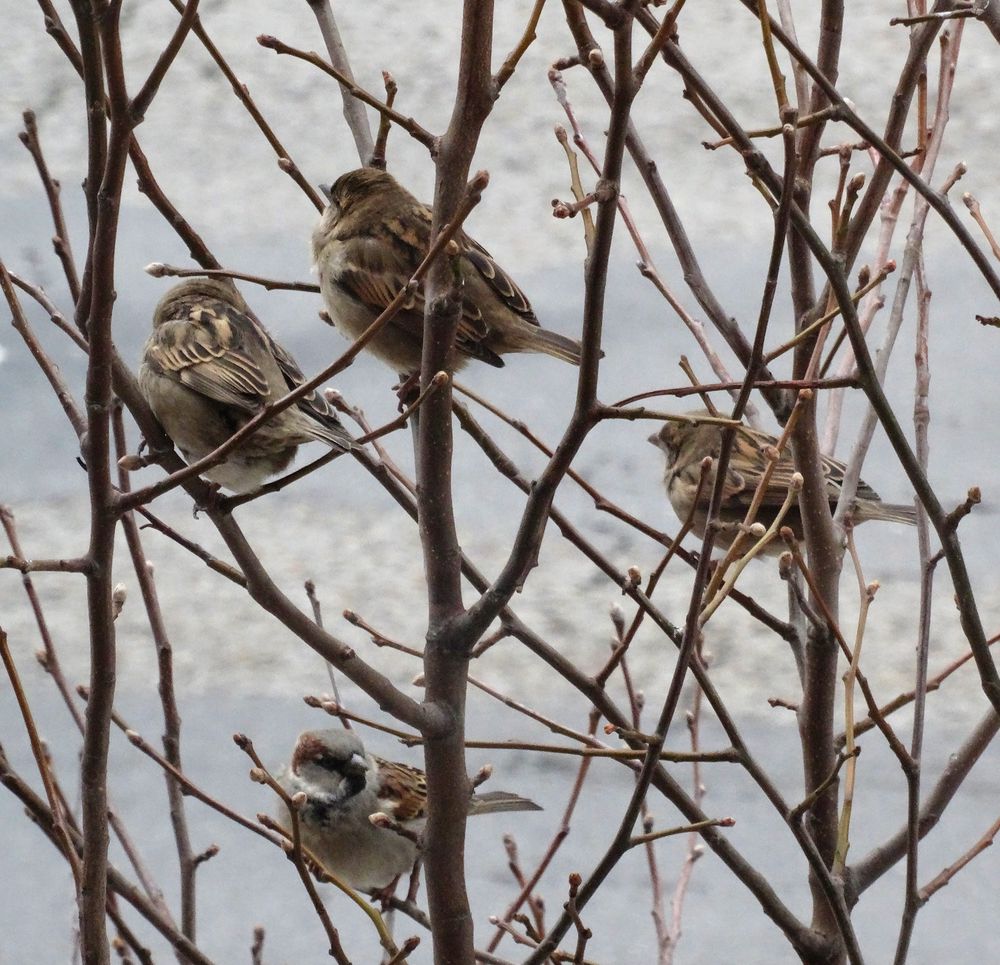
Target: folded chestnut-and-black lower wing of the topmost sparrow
(374, 269)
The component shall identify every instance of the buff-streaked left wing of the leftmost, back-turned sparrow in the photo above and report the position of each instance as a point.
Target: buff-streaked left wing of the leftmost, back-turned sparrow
(215, 349)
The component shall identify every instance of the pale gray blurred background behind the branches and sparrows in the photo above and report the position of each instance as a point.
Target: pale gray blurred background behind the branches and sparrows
(238, 670)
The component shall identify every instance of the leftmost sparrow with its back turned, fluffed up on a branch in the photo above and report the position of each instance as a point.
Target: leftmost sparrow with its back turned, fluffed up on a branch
(208, 367)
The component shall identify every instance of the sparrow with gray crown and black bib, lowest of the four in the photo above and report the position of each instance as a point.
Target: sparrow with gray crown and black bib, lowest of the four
(343, 785)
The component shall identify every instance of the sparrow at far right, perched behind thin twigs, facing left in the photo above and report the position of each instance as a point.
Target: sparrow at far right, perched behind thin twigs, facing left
(686, 444)
